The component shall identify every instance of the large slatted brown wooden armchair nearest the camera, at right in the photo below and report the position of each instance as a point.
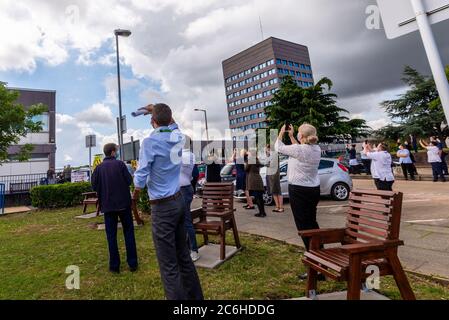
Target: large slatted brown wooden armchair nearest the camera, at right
(371, 238)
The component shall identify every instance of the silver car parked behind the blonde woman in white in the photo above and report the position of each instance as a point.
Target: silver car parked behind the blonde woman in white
(334, 176)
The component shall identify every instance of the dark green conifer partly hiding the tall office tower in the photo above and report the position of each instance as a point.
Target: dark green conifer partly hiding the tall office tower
(315, 105)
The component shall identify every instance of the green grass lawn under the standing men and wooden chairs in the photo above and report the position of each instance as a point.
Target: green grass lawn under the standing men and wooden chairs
(36, 248)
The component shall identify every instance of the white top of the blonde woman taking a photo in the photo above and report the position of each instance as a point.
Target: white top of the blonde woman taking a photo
(303, 163)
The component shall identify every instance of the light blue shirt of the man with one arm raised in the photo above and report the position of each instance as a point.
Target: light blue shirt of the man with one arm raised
(160, 162)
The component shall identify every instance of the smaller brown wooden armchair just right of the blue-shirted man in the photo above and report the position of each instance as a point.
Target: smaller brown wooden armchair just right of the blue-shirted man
(217, 215)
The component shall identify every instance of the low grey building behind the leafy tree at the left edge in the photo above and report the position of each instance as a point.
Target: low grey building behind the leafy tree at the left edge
(43, 154)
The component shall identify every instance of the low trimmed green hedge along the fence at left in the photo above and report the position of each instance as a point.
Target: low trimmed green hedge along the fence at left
(59, 195)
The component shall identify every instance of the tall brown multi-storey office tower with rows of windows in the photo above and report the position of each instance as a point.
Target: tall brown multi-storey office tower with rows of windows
(254, 75)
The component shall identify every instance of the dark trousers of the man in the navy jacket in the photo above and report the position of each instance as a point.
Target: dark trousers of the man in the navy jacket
(111, 222)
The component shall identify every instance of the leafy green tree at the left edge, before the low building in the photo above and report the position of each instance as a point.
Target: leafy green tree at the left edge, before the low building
(16, 122)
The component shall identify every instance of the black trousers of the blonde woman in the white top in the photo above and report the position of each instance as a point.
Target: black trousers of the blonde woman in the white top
(304, 202)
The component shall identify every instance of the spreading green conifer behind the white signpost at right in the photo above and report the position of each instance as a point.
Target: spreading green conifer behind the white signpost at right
(418, 111)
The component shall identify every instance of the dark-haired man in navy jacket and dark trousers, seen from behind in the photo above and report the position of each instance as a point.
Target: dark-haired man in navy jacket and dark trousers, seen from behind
(111, 180)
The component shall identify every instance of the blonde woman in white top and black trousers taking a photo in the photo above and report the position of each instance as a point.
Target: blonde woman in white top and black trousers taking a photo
(304, 182)
